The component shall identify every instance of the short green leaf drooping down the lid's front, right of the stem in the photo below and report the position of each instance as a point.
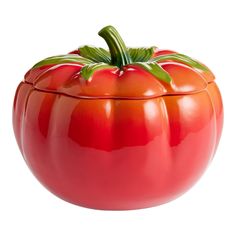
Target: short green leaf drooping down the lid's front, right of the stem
(155, 69)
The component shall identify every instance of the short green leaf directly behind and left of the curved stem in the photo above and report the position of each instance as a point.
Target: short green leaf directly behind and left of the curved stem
(95, 54)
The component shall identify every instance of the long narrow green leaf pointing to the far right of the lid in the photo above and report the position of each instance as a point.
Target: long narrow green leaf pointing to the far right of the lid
(181, 58)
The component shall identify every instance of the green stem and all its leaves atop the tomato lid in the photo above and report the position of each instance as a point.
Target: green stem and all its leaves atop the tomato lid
(119, 56)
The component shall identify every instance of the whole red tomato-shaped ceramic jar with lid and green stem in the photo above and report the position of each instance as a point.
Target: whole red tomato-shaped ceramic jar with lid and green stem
(123, 128)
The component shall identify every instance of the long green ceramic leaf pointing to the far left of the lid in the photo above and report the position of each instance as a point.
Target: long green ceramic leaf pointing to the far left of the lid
(69, 58)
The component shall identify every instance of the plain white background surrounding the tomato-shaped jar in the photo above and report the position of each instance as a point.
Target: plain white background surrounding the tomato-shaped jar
(33, 30)
